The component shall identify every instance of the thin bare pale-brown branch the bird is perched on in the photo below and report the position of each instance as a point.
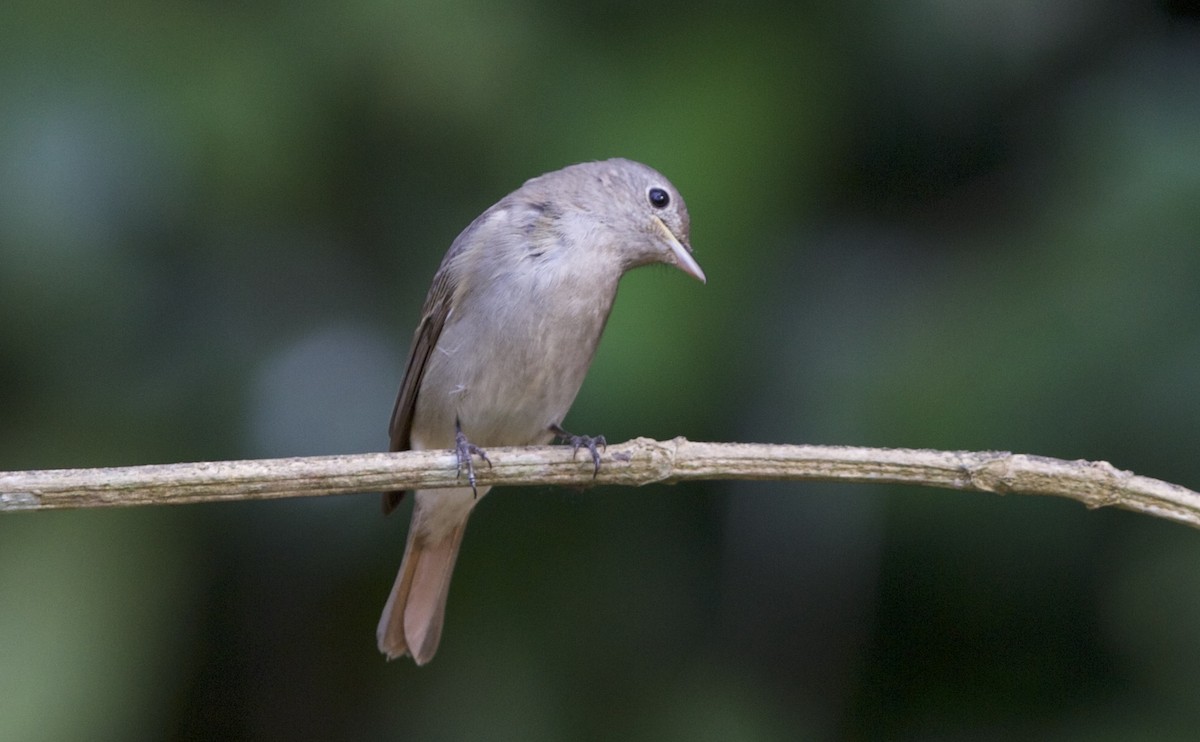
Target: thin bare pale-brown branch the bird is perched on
(635, 463)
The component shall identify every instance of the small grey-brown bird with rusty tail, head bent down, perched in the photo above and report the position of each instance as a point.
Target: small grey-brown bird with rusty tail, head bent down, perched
(507, 334)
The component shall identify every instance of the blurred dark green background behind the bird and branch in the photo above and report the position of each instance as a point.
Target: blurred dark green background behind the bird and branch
(956, 225)
